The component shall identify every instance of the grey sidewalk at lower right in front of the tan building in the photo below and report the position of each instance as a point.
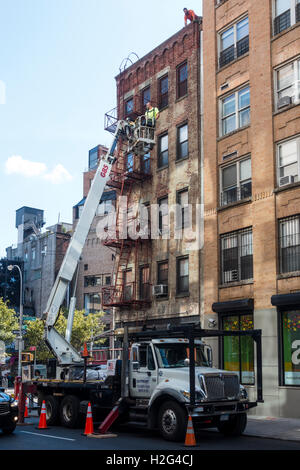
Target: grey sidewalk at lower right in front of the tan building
(287, 429)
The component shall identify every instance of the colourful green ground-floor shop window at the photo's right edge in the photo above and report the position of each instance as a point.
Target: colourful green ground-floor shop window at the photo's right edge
(290, 332)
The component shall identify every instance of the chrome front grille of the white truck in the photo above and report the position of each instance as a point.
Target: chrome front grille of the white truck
(220, 386)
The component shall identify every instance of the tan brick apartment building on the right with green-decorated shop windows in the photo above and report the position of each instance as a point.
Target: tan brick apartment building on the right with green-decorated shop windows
(252, 193)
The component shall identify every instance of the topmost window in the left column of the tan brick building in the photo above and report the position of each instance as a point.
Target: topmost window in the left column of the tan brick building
(234, 42)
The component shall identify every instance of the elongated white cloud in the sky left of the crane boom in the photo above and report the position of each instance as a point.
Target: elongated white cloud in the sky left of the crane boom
(18, 165)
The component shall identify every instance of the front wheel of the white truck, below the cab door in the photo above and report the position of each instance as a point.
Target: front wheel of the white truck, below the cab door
(172, 421)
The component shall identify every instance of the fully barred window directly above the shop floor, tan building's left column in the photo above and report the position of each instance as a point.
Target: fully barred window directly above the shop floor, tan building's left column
(236, 256)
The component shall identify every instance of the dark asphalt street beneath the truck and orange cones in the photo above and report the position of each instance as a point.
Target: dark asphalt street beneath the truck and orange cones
(58, 438)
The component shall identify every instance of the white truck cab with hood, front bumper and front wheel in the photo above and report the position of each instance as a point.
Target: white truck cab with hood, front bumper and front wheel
(159, 385)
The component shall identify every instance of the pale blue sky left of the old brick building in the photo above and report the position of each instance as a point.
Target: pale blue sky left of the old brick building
(58, 60)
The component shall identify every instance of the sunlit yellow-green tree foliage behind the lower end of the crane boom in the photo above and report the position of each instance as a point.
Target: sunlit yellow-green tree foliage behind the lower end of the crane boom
(84, 327)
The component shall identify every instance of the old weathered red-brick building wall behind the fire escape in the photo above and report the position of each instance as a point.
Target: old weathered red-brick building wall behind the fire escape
(169, 77)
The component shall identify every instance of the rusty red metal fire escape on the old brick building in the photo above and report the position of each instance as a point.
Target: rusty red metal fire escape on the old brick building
(130, 289)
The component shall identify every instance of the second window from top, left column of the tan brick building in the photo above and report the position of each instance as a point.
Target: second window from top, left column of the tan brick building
(235, 111)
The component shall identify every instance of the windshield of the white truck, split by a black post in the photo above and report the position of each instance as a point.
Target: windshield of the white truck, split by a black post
(177, 355)
